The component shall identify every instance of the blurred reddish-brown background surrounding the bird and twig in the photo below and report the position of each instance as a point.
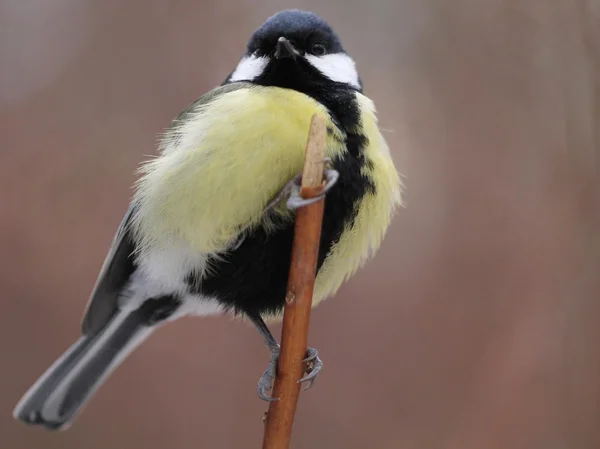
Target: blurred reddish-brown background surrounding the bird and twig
(477, 325)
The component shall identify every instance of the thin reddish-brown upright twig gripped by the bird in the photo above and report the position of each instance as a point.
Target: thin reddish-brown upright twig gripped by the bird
(298, 299)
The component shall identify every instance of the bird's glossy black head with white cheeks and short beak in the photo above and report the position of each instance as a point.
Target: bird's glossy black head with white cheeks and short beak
(298, 50)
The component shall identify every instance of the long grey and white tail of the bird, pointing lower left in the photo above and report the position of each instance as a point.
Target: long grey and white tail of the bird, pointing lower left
(56, 398)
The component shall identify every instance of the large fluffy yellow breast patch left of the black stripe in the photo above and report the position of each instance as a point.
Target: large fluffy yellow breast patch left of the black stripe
(222, 164)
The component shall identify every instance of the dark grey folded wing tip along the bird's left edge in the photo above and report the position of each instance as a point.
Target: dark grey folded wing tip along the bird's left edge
(118, 267)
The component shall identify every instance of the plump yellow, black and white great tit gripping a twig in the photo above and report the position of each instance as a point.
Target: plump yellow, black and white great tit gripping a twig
(210, 225)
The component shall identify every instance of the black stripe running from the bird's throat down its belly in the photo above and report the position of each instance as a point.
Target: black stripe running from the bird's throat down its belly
(253, 277)
